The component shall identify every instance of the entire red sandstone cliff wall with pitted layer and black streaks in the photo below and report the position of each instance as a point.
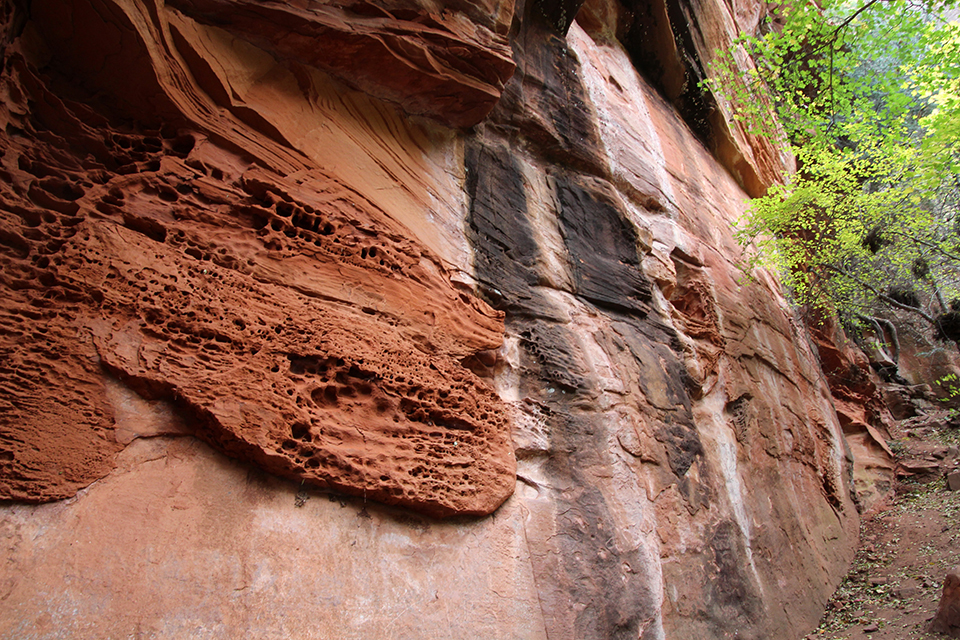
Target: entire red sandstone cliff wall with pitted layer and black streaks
(397, 320)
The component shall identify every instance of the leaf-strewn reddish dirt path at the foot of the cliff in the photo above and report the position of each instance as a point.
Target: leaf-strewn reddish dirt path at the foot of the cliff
(907, 547)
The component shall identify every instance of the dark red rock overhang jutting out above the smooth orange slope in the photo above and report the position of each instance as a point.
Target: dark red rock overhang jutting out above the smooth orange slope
(442, 65)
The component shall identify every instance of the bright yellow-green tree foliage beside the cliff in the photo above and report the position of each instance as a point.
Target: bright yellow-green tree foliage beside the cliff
(867, 97)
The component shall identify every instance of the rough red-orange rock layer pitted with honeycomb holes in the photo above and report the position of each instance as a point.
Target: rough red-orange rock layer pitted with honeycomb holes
(300, 327)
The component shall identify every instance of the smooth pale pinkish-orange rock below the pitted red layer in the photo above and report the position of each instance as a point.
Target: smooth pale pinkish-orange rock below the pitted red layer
(180, 542)
